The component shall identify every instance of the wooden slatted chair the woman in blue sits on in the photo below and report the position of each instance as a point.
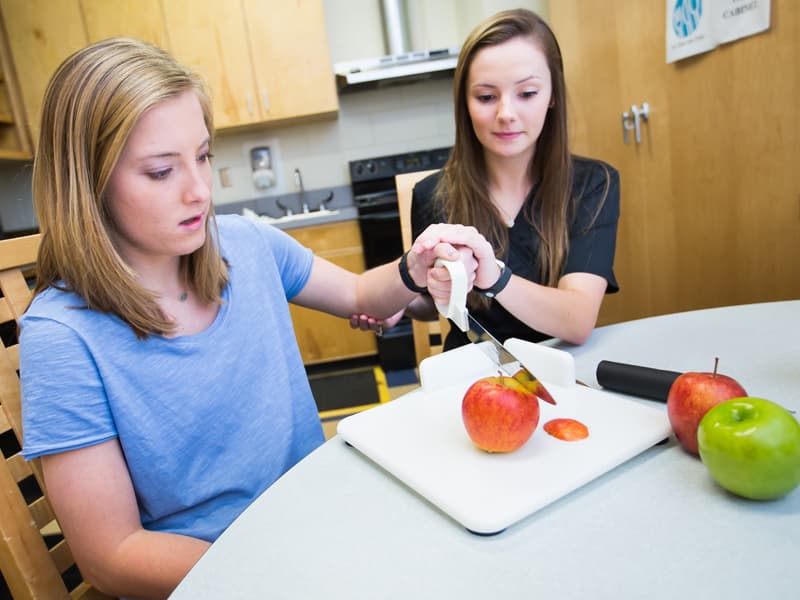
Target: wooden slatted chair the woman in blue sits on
(35, 561)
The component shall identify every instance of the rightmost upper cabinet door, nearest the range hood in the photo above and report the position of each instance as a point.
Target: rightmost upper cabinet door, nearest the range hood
(293, 70)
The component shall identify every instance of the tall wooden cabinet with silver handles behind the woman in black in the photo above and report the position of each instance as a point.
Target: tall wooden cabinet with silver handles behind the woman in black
(711, 197)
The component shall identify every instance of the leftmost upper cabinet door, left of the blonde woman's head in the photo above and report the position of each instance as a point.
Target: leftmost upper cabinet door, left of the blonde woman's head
(41, 34)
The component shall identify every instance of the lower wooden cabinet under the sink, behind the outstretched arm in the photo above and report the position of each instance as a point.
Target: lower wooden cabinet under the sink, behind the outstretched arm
(323, 337)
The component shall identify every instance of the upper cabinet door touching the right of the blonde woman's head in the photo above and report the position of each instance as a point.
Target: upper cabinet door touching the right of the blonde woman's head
(210, 37)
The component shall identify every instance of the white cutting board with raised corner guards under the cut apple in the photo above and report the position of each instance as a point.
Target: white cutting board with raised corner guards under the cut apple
(420, 439)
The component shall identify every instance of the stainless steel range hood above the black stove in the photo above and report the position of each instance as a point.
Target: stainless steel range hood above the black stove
(399, 66)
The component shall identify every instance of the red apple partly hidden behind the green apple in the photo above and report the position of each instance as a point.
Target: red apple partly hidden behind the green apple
(691, 396)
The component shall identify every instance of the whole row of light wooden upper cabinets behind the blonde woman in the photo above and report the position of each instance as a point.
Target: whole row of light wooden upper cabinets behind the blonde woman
(264, 61)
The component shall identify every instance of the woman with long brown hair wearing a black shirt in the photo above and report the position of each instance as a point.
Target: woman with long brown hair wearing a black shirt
(550, 216)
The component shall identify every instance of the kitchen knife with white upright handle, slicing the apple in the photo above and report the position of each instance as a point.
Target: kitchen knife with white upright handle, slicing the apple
(456, 311)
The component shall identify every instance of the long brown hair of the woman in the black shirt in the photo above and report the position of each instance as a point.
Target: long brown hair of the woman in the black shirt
(464, 186)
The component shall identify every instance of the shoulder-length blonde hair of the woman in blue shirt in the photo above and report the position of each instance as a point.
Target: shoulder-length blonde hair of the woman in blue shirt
(91, 105)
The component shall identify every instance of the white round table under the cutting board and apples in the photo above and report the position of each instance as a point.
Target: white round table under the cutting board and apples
(338, 526)
